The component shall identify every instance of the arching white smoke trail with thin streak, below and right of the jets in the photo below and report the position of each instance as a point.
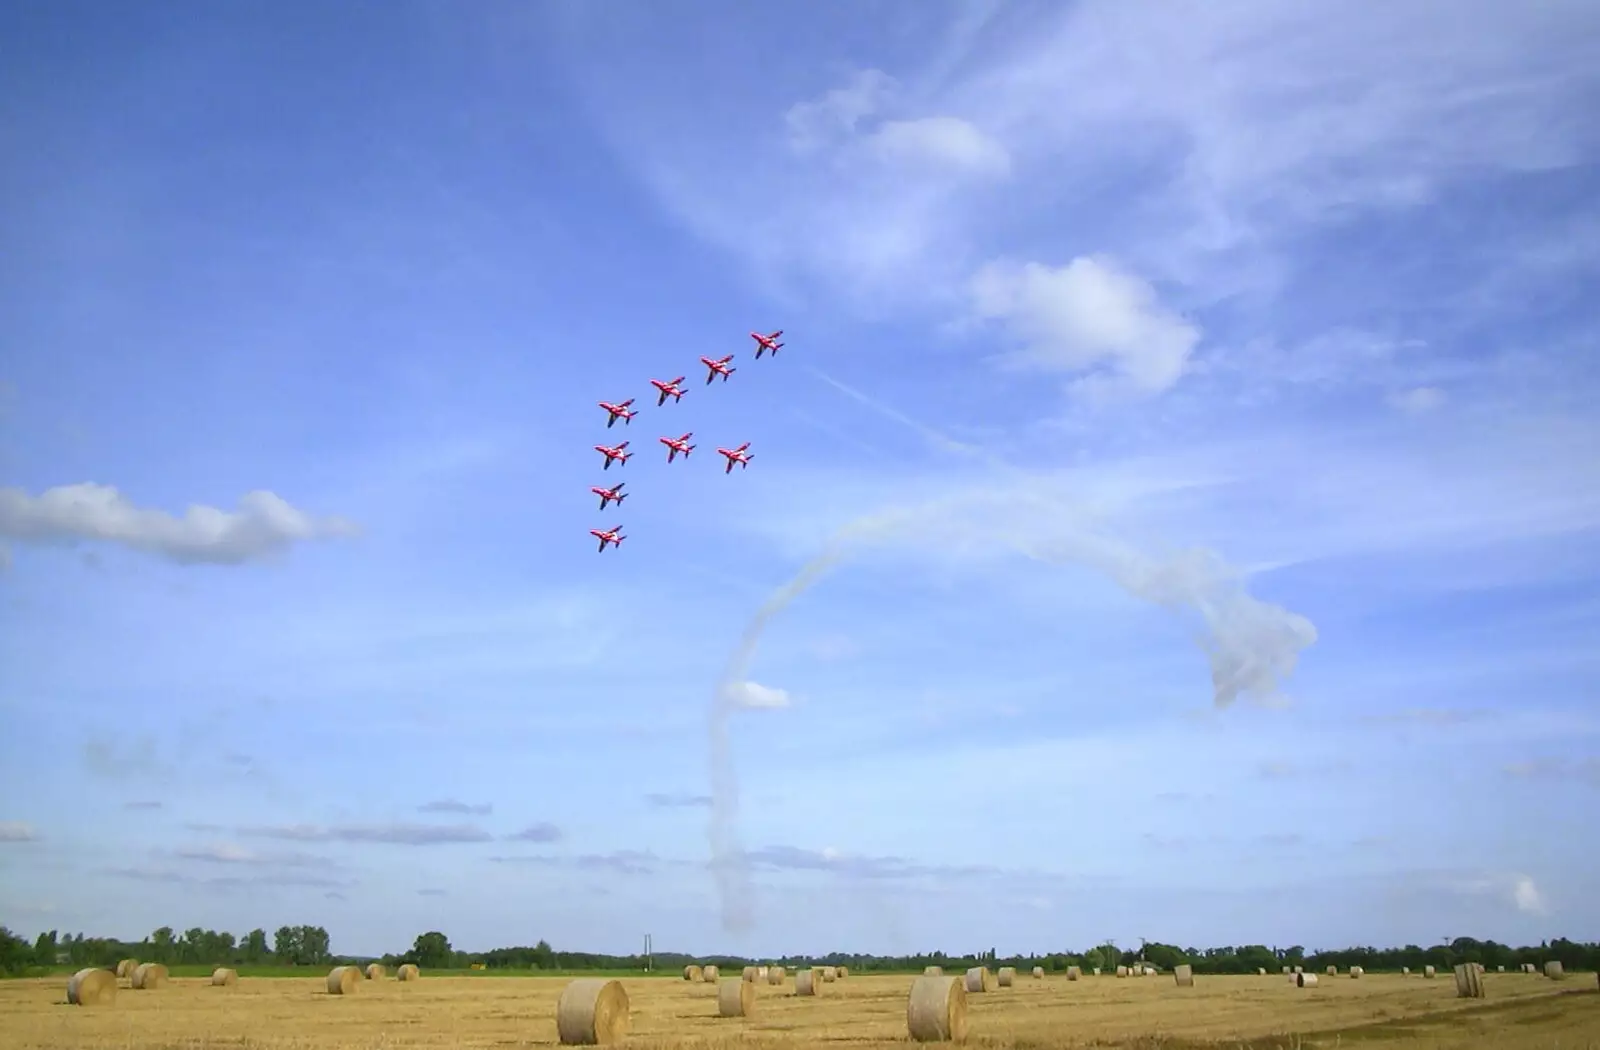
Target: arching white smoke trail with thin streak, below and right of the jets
(1250, 644)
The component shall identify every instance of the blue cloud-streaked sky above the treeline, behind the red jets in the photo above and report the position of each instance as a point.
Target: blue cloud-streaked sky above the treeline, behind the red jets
(1177, 500)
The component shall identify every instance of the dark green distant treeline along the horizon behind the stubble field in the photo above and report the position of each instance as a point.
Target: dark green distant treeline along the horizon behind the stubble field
(308, 947)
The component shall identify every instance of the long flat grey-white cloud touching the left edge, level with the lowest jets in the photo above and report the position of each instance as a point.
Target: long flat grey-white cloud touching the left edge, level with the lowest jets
(265, 524)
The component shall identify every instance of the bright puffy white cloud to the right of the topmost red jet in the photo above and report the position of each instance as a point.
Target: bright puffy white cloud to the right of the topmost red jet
(1087, 315)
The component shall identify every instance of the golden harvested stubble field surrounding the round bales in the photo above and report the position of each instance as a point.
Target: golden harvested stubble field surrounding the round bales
(862, 1014)
